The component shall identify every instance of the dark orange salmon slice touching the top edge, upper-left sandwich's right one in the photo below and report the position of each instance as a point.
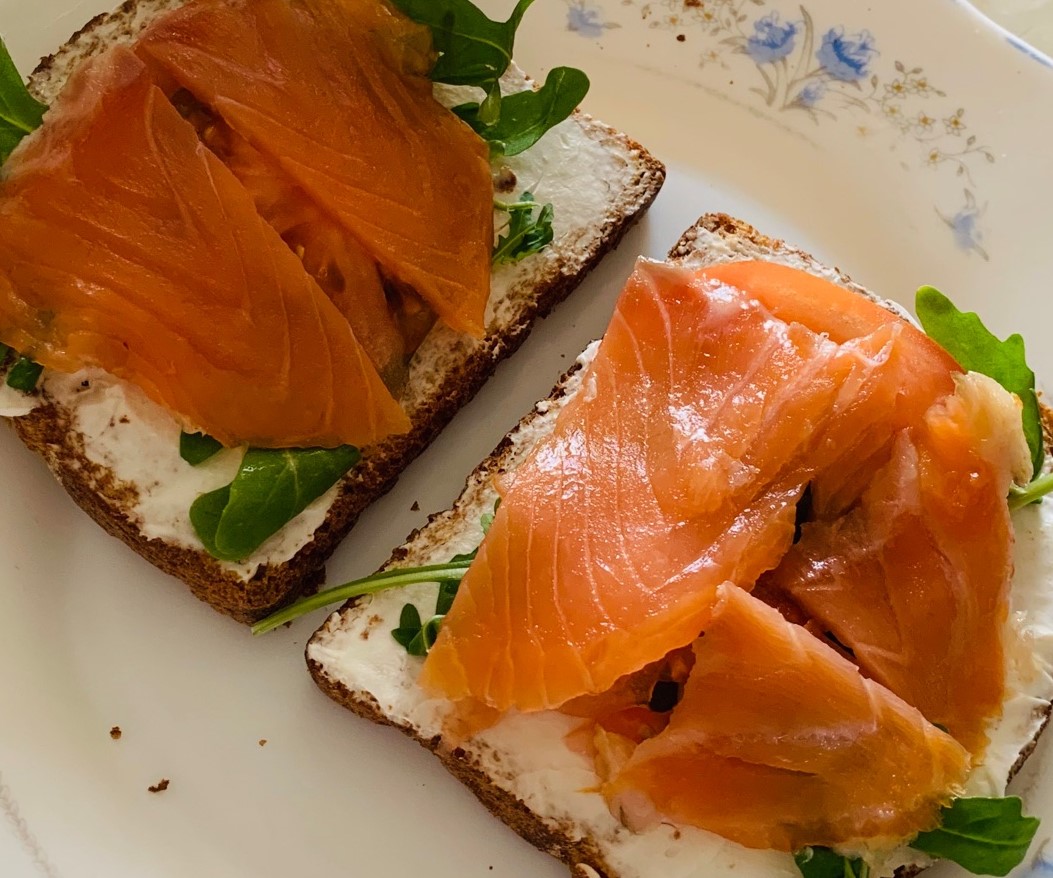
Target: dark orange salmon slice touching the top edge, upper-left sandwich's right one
(334, 93)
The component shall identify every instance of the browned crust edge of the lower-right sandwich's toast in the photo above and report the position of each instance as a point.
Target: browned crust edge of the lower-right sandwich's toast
(572, 845)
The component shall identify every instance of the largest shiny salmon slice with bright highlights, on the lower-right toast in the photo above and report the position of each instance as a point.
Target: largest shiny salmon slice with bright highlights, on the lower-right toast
(677, 468)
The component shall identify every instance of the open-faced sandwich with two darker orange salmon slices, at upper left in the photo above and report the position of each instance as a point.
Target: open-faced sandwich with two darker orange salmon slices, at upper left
(263, 251)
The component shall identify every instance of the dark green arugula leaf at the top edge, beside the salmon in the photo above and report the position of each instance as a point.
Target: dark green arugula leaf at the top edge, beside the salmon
(474, 50)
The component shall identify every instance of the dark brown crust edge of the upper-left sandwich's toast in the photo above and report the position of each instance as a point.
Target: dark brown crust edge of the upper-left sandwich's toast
(444, 385)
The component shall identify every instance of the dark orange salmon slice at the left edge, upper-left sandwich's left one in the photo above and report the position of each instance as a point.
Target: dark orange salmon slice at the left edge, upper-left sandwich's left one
(110, 215)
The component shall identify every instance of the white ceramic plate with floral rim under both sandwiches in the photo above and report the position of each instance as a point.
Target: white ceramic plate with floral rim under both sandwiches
(905, 143)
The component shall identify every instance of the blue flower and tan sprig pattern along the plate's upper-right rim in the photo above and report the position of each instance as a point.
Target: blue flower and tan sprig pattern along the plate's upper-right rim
(833, 73)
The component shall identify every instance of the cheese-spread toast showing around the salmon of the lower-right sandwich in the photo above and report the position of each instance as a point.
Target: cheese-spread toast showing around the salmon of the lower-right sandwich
(522, 769)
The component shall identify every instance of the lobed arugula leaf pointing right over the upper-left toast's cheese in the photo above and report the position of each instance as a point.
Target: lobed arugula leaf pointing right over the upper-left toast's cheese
(527, 116)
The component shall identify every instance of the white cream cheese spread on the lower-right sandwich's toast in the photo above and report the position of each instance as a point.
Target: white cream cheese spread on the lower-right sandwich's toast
(527, 754)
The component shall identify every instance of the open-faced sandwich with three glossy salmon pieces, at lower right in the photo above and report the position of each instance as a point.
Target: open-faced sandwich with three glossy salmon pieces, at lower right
(740, 597)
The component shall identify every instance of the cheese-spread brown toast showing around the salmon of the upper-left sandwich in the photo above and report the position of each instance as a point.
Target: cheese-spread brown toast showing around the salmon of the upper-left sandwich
(117, 454)
